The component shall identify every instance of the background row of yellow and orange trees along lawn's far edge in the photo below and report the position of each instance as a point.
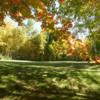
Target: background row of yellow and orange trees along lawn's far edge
(19, 43)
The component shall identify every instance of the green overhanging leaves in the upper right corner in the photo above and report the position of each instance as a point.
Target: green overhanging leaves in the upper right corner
(82, 10)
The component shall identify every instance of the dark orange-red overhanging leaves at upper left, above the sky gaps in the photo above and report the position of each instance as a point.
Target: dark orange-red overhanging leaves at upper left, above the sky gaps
(22, 9)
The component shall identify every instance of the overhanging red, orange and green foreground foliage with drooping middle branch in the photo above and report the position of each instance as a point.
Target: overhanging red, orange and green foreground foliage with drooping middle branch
(53, 12)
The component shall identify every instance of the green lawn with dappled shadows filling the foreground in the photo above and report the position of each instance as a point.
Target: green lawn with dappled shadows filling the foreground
(49, 81)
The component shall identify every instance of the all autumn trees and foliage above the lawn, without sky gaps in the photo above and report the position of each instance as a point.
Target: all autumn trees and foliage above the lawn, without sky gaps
(53, 43)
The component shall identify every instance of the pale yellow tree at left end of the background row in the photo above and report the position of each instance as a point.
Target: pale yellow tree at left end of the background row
(11, 39)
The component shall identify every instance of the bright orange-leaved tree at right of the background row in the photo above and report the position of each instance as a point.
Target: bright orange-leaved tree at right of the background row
(78, 49)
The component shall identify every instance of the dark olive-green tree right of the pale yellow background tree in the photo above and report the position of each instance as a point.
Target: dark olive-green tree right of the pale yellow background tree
(33, 48)
